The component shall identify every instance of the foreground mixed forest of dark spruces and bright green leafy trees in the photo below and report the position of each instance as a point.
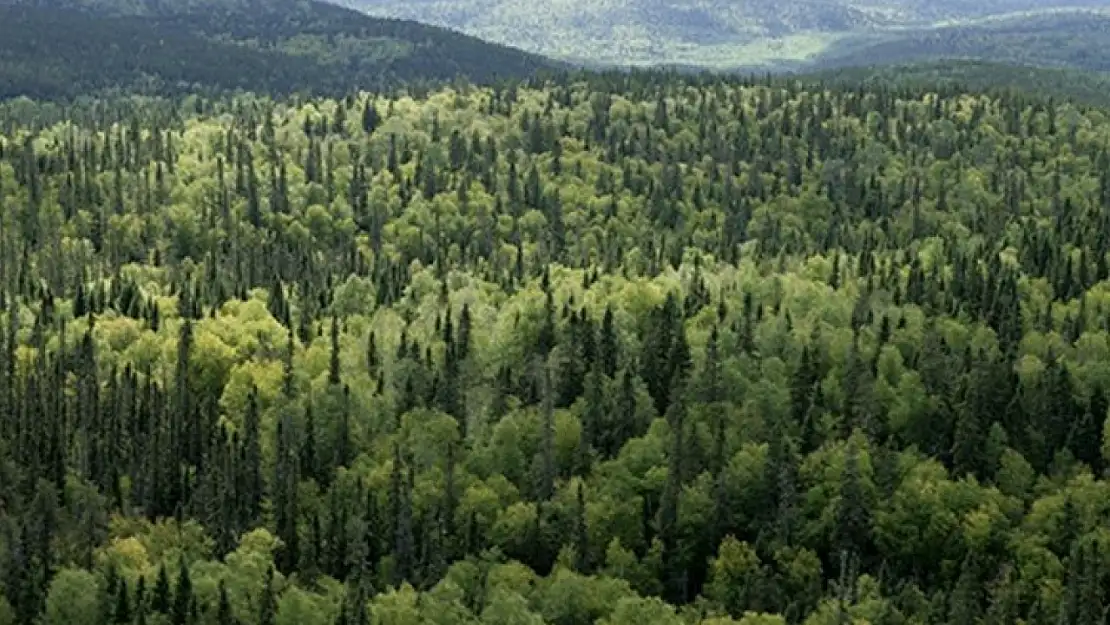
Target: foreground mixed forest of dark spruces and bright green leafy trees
(627, 349)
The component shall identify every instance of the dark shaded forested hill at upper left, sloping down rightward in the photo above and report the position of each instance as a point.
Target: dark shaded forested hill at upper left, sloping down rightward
(281, 46)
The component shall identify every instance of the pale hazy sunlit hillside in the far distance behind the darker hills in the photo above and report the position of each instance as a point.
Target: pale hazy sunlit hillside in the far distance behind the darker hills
(708, 33)
